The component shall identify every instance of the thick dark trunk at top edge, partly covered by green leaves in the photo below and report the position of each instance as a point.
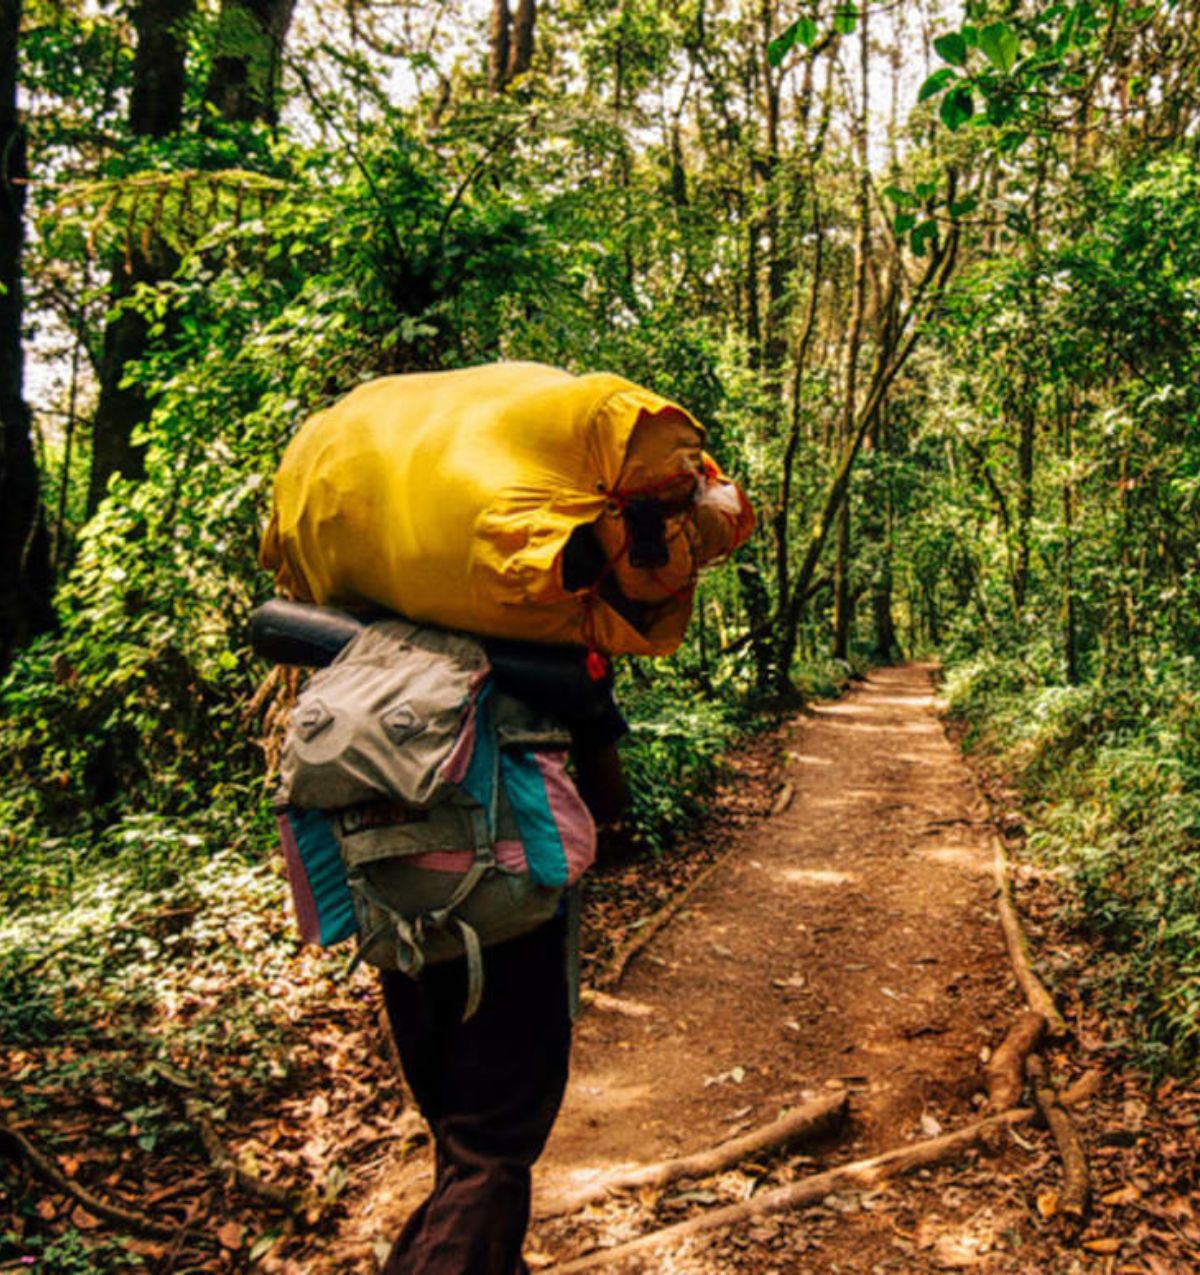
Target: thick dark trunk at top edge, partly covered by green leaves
(244, 81)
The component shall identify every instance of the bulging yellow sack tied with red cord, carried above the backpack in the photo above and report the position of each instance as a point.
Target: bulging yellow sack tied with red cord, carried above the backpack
(451, 498)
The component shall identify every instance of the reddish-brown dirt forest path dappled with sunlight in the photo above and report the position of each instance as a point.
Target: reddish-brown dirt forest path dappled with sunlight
(849, 943)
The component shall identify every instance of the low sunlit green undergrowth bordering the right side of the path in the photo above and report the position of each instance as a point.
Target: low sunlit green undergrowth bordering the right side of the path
(1110, 781)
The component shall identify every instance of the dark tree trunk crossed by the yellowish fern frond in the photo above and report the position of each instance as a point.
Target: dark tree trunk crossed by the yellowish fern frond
(155, 112)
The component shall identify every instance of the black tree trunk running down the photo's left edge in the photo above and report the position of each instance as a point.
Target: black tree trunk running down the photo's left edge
(26, 582)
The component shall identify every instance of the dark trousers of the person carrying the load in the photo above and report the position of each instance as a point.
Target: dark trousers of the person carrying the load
(490, 1091)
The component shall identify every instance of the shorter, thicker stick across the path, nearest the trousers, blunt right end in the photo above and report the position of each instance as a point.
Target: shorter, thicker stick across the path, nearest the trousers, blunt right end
(807, 1124)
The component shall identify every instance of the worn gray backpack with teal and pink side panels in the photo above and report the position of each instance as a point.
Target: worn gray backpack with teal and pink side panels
(421, 809)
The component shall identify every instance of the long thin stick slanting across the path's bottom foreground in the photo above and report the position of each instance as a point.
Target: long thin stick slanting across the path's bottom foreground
(812, 1190)
